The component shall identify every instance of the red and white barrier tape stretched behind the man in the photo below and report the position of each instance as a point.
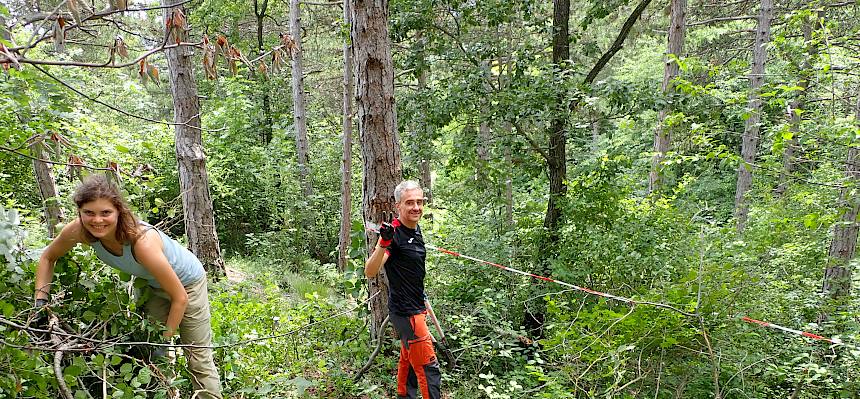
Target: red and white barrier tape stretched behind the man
(835, 341)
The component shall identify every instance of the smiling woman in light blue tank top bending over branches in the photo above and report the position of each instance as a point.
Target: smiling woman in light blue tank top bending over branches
(177, 277)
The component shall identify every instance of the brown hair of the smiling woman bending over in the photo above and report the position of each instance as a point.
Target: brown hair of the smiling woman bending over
(97, 186)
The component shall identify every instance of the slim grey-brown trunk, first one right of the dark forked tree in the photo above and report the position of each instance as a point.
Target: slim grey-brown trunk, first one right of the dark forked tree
(663, 136)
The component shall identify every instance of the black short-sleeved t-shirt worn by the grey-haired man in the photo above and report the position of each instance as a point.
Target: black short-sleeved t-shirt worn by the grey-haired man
(405, 270)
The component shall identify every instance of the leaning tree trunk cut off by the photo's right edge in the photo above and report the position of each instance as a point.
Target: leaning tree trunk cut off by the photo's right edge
(837, 274)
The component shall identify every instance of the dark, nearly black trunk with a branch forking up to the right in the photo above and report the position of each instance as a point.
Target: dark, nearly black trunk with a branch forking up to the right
(557, 160)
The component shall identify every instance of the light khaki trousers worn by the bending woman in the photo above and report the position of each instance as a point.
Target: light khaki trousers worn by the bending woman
(194, 329)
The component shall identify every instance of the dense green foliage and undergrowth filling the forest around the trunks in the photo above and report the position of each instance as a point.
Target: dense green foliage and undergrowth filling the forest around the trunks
(486, 63)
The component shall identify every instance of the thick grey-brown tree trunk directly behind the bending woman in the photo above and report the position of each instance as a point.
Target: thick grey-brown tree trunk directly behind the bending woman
(191, 160)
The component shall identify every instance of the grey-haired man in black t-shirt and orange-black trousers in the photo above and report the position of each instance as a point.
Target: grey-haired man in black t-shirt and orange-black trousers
(401, 249)
